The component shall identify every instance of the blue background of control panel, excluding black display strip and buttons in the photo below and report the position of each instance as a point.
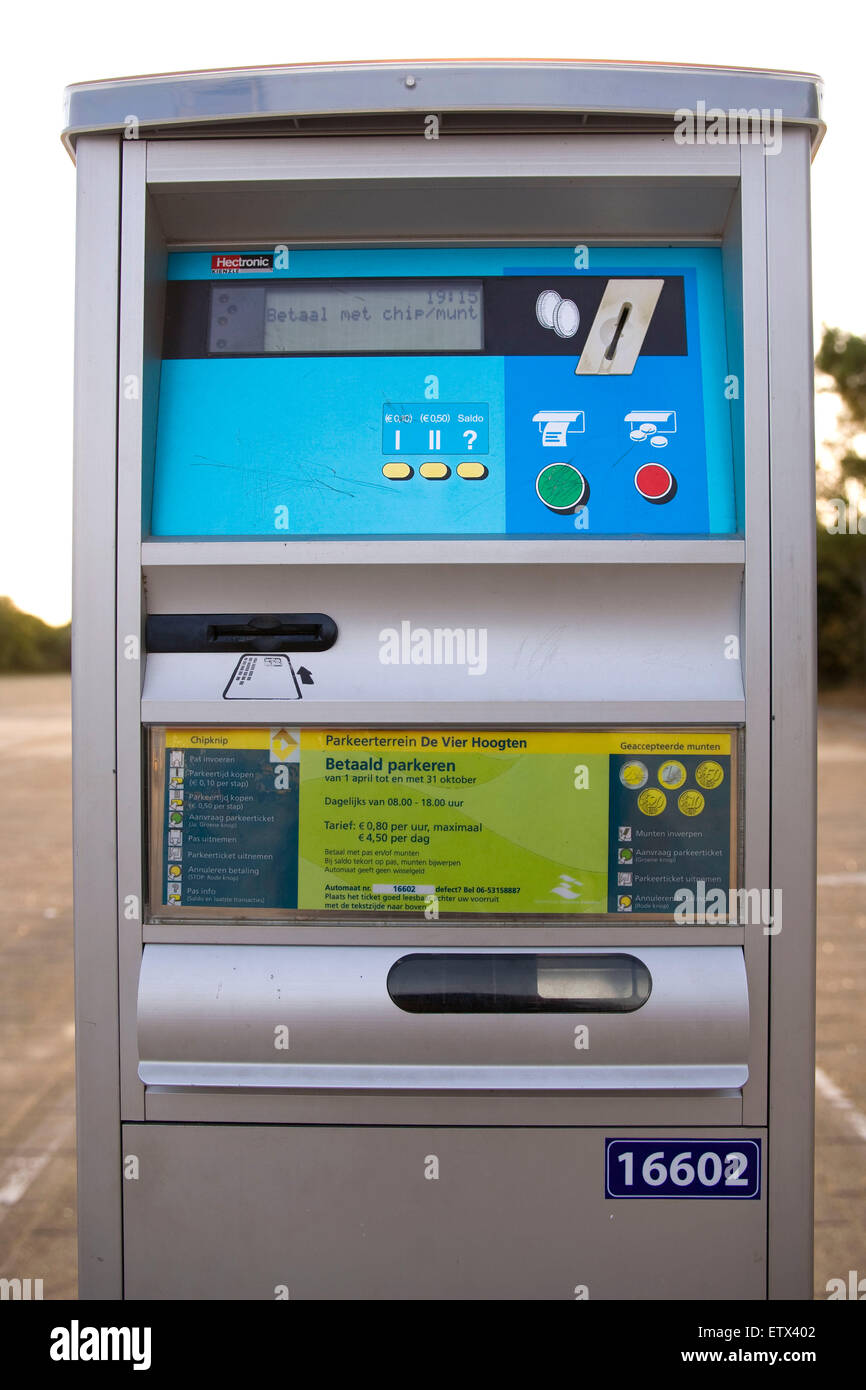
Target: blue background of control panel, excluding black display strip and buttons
(240, 439)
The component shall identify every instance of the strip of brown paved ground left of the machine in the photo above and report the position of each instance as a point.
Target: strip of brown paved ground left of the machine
(37, 1029)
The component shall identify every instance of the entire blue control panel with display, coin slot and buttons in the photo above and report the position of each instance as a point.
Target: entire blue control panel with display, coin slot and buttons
(447, 393)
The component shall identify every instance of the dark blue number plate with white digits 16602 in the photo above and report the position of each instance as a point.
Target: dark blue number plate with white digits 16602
(683, 1168)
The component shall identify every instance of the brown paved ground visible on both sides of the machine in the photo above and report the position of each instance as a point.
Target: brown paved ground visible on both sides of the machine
(37, 1032)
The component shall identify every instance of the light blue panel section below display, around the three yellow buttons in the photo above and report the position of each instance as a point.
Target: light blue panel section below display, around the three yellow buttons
(241, 440)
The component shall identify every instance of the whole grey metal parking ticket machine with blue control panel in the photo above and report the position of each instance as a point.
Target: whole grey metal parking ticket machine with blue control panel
(444, 711)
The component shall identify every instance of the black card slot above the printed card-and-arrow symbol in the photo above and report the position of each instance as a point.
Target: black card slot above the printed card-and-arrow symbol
(241, 633)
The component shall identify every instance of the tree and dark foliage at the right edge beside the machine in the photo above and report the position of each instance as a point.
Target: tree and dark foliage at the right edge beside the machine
(842, 526)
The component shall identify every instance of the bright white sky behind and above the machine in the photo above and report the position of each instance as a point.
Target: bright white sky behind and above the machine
(55, 47)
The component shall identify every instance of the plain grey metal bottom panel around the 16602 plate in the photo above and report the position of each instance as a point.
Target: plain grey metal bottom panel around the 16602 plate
(415, 1213)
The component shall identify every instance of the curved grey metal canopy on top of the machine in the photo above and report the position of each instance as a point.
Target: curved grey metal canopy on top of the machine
(469, 97)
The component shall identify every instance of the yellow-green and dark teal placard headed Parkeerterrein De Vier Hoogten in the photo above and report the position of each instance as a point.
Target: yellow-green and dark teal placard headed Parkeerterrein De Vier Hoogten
(437, 822)
